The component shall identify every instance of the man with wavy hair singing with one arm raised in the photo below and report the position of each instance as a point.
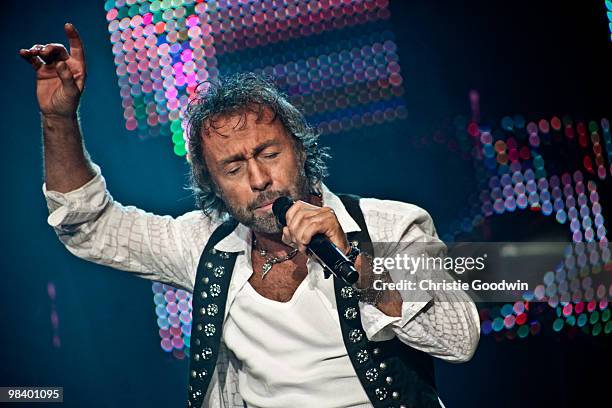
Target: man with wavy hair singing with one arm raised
(269, 329)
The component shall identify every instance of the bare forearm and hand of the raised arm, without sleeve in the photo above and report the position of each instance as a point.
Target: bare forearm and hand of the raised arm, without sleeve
(60, 80)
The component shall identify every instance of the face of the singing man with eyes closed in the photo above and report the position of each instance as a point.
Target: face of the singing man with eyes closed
(252, 163)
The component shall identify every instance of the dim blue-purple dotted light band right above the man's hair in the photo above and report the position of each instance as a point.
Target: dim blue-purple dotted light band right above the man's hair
(347, 80)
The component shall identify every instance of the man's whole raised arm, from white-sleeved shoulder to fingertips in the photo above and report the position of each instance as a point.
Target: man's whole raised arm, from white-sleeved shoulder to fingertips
(86, 218)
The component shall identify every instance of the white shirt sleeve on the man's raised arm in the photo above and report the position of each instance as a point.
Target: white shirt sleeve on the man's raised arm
(97, 228)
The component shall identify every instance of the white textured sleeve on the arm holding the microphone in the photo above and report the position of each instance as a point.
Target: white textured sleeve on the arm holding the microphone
(442, 324)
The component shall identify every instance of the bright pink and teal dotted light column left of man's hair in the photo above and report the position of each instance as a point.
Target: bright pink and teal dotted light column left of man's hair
(162, 51)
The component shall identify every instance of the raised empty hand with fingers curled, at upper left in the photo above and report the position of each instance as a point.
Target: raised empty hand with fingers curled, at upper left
(60, 77)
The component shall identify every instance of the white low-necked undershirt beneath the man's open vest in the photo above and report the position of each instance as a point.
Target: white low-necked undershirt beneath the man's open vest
(292, 352)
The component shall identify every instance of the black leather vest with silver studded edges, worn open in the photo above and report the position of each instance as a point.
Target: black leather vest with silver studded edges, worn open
(392, 373)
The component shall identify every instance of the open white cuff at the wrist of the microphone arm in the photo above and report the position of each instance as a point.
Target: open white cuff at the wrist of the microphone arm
(380, 327)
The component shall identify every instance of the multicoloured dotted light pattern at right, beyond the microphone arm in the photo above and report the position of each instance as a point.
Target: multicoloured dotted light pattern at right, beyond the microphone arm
(513, 175)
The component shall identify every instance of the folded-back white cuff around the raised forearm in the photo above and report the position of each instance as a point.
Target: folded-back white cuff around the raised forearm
(78, 205)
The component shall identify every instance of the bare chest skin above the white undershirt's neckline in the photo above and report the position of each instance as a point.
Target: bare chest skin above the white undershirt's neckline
(281, 282)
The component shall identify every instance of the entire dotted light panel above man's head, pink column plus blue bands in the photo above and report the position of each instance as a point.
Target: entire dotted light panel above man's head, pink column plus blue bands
(334, 58)
